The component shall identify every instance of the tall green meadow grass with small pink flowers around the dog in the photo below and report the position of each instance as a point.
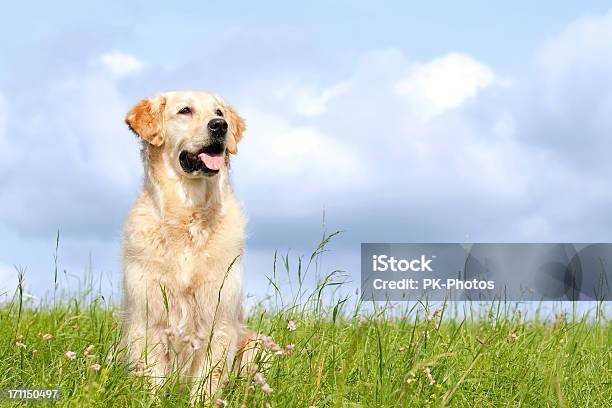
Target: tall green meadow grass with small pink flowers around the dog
(344, 356)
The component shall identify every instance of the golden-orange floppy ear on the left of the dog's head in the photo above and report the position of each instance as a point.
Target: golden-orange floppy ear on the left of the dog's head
(146, 119)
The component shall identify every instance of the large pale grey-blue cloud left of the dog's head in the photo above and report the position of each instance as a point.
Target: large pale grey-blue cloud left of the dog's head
(84, 160)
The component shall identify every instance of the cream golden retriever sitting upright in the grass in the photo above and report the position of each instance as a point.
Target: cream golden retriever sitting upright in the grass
(183, 244)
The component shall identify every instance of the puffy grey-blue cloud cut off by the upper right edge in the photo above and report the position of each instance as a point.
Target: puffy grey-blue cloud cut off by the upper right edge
(566, 101)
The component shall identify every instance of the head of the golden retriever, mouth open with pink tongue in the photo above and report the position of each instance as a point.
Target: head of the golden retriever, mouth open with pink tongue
(196, 131)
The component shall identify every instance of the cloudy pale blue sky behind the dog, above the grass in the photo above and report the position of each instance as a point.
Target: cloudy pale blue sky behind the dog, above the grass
(465, 121)
